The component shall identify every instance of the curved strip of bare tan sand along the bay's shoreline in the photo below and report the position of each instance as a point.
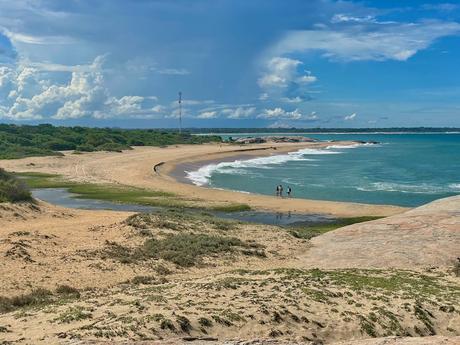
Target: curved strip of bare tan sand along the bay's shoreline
(135, 168)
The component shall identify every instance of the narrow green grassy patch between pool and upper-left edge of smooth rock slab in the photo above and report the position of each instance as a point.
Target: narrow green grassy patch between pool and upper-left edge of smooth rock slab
(309, 231)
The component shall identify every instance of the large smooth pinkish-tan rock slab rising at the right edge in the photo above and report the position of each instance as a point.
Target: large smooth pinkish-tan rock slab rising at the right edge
(425, 237)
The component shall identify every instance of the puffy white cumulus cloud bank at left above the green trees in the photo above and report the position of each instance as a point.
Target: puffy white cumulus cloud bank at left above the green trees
(31, 93)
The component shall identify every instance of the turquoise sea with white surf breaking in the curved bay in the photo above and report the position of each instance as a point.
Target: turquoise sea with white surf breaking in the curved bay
(405, 169)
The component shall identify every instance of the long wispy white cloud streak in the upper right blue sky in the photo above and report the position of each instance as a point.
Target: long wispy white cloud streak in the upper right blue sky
(366, 41)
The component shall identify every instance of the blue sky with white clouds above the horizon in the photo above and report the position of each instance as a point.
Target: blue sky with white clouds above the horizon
(238, 63)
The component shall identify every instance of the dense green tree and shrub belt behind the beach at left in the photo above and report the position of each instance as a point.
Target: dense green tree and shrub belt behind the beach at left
(45, 140)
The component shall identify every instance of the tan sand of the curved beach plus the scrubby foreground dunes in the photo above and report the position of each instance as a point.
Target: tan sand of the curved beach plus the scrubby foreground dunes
(391, 276)
